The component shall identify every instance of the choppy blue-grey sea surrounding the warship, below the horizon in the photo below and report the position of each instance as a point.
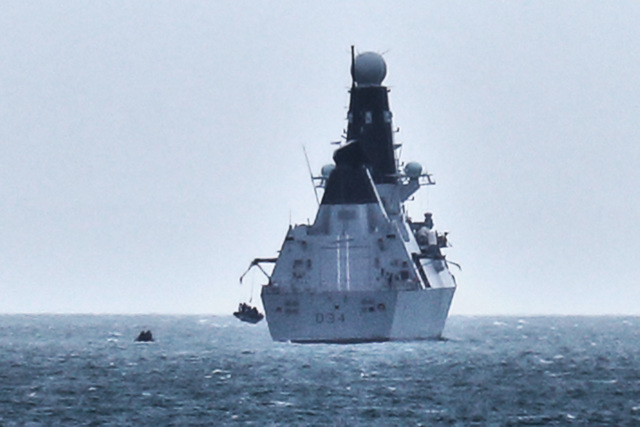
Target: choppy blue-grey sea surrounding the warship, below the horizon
(205, 370)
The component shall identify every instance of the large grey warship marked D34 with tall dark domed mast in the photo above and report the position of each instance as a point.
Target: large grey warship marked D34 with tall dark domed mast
(363, 271)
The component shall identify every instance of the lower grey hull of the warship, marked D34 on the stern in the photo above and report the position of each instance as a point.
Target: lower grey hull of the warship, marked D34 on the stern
(356, 317)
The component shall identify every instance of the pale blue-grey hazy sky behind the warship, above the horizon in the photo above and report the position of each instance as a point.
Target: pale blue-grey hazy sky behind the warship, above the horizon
(149, 150)
